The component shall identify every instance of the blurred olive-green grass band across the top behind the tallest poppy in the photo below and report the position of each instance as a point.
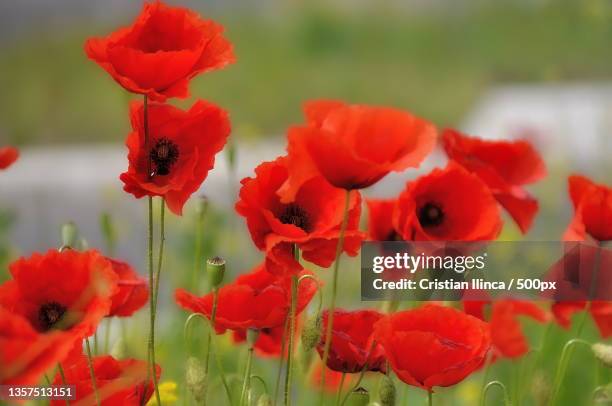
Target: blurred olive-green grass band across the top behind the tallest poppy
(433, 58)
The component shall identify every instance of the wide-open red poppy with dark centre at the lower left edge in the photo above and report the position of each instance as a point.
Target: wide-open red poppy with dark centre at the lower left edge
(69, 291)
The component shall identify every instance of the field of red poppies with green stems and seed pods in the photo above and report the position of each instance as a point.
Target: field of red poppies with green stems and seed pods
(291, 329)
